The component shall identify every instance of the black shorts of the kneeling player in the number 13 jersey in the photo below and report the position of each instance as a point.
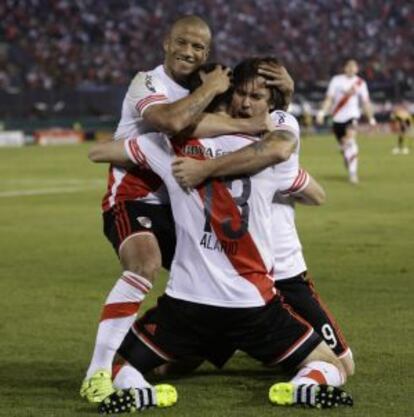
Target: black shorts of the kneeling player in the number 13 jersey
(177, 330)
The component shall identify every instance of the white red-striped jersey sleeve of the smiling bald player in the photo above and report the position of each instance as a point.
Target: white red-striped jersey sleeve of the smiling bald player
(145, 90)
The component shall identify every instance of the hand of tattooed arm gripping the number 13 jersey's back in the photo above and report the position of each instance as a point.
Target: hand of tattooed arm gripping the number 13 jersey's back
(188, 172)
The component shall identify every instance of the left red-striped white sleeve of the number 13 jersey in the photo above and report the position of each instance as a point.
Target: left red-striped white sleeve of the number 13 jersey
(151, 151)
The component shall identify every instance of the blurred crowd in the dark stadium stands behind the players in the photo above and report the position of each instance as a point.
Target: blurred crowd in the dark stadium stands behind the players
(67, 63)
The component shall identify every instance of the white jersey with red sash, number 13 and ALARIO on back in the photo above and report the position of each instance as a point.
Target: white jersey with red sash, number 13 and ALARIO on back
(224, 251)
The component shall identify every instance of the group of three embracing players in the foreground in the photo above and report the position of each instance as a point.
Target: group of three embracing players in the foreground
(217, 301)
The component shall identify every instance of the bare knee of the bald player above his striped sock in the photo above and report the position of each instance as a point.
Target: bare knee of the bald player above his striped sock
(141, 255)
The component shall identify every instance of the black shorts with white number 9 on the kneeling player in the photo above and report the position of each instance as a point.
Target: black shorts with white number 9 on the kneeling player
(299, 292)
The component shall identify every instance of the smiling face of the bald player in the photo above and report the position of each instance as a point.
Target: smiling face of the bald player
(186, 48)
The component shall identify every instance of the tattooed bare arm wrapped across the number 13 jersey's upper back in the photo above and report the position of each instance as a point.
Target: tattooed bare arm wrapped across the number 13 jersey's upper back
(276, 147)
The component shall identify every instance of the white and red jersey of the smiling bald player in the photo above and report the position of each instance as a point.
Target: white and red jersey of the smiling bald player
(146, 89)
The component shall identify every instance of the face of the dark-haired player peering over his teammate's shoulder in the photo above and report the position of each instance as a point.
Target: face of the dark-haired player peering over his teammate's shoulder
(250, 99)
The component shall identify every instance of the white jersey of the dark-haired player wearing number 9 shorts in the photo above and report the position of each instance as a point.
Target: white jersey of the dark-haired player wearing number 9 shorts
(287, 249)
